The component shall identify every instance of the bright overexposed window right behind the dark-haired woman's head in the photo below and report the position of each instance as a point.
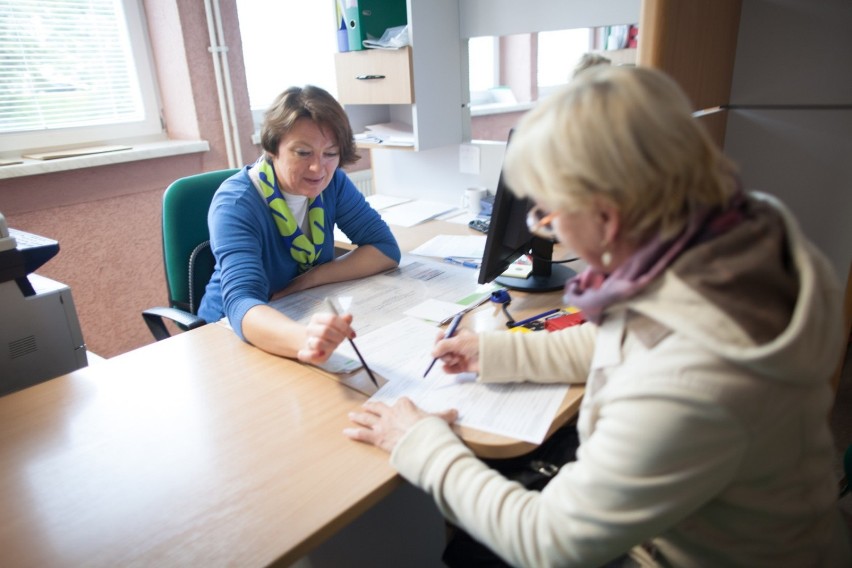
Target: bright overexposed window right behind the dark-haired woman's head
(284, 46)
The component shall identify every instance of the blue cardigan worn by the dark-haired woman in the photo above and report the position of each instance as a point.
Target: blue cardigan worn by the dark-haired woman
(252, 262)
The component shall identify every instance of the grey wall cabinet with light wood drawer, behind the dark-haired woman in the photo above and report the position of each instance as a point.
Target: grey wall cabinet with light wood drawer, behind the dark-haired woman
(429, 100)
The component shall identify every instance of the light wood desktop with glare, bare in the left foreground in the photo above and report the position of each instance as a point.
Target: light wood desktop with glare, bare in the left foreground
(196, 450)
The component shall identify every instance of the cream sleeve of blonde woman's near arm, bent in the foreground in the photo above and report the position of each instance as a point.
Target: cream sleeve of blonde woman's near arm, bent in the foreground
(628, 485)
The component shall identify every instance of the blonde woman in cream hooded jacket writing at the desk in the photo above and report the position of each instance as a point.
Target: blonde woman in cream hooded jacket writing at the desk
(715, 326)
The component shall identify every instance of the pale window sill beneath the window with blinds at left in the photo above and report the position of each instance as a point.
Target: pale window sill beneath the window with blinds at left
(137, 152)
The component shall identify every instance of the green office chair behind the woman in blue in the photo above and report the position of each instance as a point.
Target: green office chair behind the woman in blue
(187, 256)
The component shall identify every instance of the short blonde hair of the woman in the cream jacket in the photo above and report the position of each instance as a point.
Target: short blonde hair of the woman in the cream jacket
(627, 134)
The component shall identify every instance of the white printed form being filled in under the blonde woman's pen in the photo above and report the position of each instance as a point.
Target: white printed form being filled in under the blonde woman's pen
(401, 352)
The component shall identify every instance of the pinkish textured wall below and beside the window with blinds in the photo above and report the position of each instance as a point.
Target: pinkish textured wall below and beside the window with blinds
(107, 219)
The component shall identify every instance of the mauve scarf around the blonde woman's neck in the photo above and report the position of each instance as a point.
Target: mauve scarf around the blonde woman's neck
(593, 290)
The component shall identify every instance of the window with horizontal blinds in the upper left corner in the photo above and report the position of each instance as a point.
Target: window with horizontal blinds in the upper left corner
(73, 73)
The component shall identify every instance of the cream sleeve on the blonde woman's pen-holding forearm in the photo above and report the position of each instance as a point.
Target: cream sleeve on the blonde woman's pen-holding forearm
(560, 357)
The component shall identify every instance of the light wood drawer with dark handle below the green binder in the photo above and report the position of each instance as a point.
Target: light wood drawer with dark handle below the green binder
(374, 76)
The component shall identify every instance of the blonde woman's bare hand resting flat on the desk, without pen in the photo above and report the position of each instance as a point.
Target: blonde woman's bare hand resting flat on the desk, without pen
(384, 426)
